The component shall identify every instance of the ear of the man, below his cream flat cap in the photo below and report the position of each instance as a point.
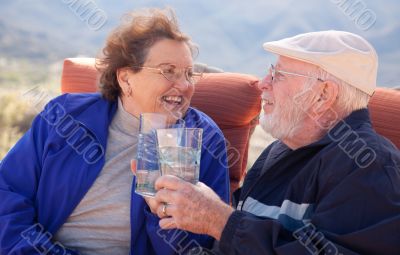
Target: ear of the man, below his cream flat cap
(328, 92)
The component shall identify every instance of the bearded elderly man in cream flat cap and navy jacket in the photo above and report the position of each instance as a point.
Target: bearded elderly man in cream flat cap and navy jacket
(329, 185)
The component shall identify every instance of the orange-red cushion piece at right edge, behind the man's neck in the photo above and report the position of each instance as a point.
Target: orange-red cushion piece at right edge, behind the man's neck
(384, 108)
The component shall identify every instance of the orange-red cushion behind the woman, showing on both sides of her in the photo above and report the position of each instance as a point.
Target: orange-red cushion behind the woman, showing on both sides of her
(232, 100)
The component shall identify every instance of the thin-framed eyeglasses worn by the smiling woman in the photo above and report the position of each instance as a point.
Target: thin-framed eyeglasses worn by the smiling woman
(174, 74)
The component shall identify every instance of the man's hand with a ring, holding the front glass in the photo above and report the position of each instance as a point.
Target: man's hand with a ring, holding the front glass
(195, 208)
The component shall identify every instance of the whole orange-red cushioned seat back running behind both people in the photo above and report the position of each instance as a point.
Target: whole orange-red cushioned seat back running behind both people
(233, 101)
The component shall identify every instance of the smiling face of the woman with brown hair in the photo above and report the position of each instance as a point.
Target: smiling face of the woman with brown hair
(151, 91)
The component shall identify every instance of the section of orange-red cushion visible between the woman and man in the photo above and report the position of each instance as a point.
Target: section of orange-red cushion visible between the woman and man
(233, 101)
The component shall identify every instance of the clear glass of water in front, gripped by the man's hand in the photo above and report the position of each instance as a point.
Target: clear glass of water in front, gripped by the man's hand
(179, 152)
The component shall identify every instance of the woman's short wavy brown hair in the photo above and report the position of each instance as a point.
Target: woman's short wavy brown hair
(129, 43)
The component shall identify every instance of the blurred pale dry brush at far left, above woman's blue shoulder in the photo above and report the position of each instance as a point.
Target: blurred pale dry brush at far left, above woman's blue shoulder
(25, 86)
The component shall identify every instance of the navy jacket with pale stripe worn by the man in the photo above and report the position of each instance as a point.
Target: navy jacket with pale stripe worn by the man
(339, 195)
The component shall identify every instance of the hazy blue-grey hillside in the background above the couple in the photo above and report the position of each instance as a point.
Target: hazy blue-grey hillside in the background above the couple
(229, 33)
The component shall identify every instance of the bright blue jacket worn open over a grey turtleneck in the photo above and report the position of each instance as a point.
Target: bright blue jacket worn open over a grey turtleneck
(47, 173)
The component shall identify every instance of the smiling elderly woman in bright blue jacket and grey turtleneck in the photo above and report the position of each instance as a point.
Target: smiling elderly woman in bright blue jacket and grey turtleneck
(66, 186)
